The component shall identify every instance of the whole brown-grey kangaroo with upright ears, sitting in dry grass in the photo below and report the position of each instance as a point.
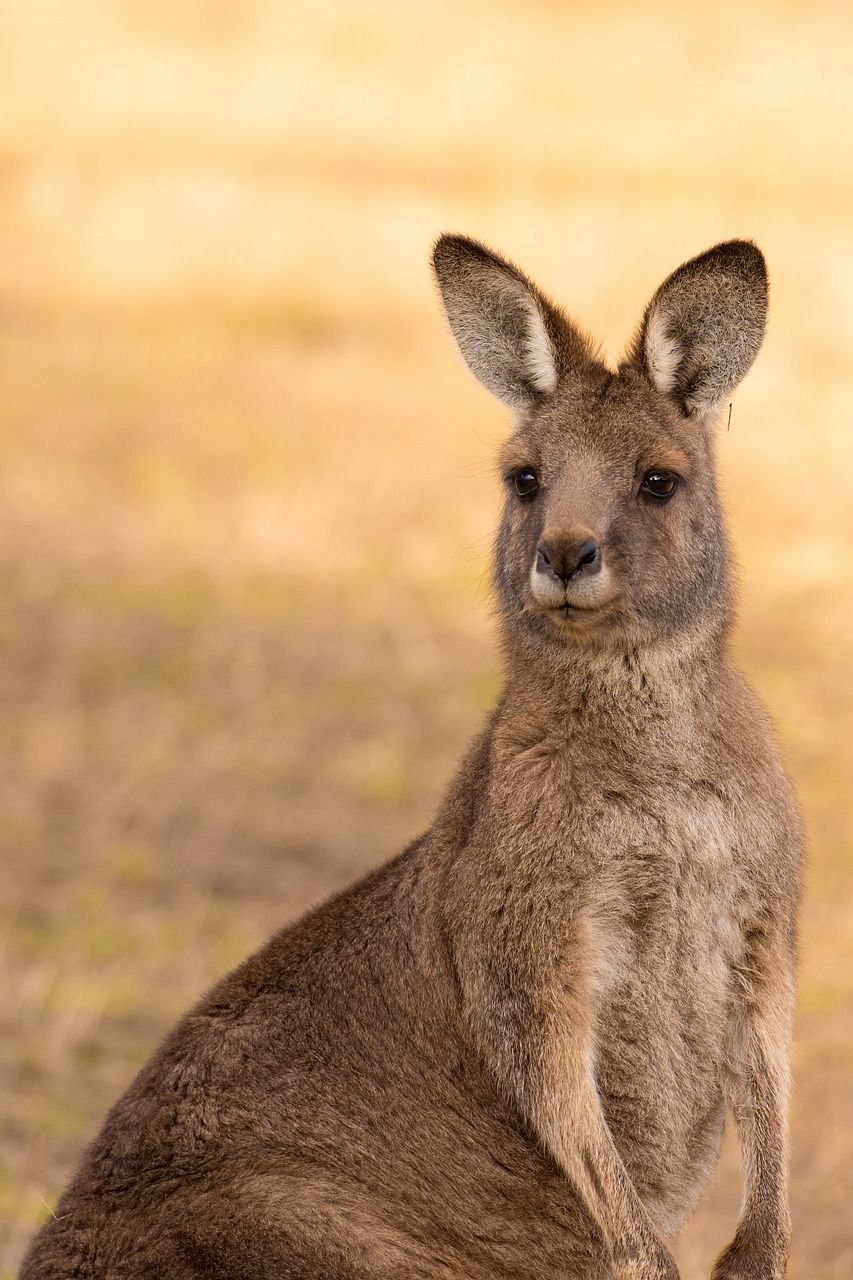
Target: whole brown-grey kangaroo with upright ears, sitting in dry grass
(509, 1053)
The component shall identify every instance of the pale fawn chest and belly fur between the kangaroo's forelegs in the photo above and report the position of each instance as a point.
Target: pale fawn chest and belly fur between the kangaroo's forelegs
(663, 924)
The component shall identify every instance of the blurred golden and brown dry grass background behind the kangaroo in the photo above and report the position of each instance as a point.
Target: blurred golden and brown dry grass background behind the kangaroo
(247, 486)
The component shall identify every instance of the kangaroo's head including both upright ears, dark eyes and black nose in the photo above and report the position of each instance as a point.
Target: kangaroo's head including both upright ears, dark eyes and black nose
(612, 532)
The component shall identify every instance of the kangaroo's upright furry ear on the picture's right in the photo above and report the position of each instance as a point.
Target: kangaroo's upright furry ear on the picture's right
(704, 327)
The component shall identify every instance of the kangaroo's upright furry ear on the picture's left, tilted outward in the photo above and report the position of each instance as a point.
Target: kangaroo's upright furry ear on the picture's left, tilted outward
(517, 342)
